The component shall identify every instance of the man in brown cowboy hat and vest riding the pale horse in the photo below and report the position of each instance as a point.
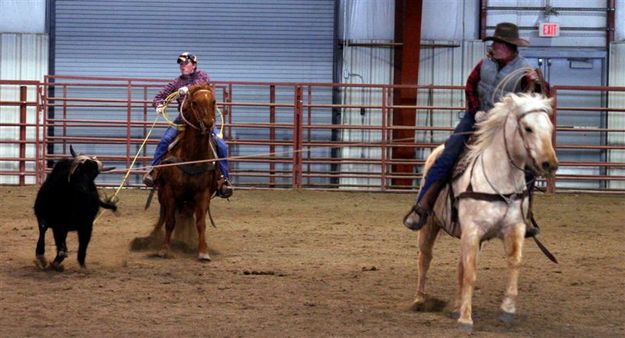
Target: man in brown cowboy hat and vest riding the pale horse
(501, 63)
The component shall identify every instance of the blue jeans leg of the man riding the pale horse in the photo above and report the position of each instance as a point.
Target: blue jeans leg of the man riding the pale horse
(454, 146)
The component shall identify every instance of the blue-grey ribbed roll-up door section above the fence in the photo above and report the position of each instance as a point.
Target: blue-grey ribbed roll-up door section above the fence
(244, 40)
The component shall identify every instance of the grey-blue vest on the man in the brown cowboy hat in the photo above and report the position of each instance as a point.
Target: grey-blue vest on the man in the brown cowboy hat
(491, 77)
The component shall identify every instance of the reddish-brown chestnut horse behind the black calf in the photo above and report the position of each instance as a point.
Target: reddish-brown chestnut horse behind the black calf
(187, 188)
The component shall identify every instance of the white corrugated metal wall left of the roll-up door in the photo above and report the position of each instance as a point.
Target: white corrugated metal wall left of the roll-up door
(23, 56)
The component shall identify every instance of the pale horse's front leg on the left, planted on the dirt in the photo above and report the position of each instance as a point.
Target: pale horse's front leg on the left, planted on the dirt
(468, 260)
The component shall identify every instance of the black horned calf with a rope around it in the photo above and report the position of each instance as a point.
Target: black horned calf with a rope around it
(68, 201)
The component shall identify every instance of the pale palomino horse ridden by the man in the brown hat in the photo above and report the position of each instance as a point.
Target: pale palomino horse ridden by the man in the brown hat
(491, 196)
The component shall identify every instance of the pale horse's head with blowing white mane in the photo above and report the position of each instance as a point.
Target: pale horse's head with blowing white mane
(532, 134)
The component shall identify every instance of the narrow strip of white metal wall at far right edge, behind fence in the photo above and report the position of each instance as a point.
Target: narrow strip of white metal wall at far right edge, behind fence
(616, 120)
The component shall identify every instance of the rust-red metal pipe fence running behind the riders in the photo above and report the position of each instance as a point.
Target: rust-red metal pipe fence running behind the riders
(280, 135)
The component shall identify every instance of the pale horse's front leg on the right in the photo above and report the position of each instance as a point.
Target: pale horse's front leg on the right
(513, 245)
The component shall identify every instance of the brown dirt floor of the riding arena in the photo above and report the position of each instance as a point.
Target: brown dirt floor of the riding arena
(307, 264)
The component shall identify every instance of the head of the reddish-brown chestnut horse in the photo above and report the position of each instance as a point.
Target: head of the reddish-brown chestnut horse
(198, 108)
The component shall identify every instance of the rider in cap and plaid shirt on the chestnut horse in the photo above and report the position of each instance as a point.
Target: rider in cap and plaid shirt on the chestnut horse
(189, 76)
